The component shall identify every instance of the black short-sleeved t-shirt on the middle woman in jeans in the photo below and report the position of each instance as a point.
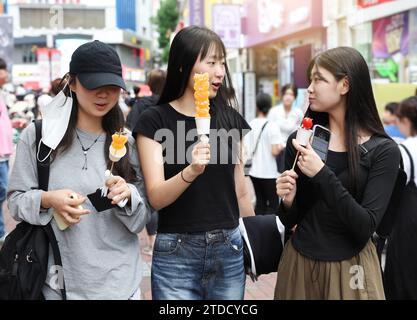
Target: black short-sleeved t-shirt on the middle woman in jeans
(210, 201)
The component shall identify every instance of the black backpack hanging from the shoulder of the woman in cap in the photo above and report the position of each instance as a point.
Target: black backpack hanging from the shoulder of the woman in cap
(25, 252)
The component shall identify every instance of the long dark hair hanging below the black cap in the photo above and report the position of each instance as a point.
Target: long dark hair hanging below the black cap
(112, 122)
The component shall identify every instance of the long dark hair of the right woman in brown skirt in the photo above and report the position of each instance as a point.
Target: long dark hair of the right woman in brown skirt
(361, 111)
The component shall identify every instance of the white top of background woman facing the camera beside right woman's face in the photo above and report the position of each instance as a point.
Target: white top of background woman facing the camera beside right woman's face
(287, 123)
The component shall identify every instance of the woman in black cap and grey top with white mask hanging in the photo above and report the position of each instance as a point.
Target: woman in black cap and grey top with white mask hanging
(99, 249)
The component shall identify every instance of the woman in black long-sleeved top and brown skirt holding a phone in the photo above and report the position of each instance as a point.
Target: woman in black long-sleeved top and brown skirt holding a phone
(336, 205)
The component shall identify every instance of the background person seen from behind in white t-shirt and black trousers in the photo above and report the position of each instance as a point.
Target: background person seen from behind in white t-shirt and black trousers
(264, 172)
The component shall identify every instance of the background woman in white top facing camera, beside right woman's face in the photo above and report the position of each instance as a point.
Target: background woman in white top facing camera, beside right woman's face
(287, 117)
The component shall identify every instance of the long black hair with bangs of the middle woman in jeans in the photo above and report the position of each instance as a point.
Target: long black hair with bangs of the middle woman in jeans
(189, 44)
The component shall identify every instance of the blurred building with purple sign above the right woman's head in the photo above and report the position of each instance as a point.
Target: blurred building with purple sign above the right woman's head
(384, 31)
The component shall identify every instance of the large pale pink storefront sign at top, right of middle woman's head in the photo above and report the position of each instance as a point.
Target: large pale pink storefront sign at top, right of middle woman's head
(268, 20)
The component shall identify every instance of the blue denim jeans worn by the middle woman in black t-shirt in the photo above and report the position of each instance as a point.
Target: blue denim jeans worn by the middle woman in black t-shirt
(198, 266)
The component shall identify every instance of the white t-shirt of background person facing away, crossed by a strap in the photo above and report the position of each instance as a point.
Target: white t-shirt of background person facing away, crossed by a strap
(264, 165)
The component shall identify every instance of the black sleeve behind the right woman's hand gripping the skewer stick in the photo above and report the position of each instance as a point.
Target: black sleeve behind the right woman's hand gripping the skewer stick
(290, 217)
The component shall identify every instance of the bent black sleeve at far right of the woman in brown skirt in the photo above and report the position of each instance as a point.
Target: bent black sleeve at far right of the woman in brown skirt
(362, 219)
